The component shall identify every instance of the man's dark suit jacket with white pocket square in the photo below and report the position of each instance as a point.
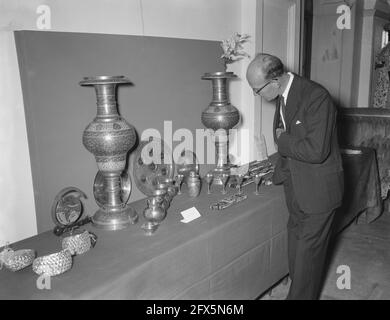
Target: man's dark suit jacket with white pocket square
(309, 149)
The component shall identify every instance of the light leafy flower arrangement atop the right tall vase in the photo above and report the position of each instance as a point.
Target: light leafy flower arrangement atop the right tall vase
(233, 48)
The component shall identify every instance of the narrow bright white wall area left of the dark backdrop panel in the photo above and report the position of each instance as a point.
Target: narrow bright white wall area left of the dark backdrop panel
(17, 210)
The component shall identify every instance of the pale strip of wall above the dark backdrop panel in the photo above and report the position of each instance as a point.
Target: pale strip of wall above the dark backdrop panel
(200, 19)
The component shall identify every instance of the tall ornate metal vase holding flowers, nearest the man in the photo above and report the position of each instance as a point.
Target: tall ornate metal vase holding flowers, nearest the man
(220, 116)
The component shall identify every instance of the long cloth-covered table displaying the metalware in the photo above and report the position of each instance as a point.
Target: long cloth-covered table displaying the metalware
(237, 253)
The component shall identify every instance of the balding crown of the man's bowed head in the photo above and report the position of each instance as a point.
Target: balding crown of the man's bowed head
(264, 67)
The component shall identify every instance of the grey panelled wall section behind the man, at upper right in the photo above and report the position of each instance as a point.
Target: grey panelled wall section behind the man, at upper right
(343, 60)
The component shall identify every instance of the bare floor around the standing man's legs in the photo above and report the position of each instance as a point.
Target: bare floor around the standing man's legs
(365, 249)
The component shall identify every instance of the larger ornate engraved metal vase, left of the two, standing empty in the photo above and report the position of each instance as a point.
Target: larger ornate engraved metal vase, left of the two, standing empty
(109, 138)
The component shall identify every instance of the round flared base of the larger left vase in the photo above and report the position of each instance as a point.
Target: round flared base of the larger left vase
(115, 219)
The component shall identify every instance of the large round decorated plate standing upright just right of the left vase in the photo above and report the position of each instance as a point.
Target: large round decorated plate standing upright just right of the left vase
(152, 161)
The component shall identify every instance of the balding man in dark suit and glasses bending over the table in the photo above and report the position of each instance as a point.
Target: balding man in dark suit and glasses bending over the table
(309, 167)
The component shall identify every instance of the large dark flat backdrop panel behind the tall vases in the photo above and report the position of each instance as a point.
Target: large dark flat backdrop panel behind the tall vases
(166, 76)
